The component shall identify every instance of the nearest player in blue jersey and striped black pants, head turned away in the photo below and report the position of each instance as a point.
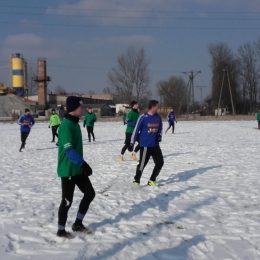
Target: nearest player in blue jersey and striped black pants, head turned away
(149, 129)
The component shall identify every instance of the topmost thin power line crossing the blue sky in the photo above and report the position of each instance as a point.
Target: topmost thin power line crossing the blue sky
(135, 11)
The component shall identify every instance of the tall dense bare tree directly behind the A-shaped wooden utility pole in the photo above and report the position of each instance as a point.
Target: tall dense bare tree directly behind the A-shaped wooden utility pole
(222, 58)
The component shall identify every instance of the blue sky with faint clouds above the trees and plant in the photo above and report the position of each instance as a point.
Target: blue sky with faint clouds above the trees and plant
(81, 40)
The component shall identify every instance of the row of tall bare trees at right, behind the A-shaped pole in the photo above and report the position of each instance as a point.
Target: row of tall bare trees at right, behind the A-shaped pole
(243, 68)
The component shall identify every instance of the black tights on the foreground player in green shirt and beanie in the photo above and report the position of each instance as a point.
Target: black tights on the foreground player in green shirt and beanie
(68, 186)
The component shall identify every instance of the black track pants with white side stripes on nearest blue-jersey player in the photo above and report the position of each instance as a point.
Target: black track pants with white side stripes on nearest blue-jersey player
(145, 154)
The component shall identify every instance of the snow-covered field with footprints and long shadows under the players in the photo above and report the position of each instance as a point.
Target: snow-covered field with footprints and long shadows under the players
(206, 204)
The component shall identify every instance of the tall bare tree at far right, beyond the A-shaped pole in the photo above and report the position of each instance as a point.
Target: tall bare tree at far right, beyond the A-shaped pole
(249, 75)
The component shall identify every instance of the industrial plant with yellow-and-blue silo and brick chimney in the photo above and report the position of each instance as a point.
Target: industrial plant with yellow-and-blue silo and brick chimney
(13, 101)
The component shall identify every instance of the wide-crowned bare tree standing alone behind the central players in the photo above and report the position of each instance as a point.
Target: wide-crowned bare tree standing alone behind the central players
(131, 76)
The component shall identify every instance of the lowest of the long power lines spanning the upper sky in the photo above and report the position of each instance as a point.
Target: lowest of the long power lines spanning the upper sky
(134, 27)
